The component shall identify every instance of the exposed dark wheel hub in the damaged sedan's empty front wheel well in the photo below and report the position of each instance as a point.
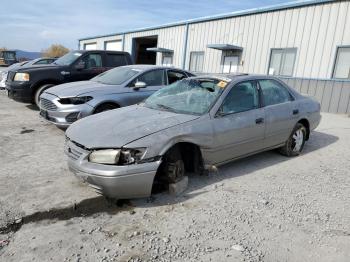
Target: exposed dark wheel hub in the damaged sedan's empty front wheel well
(174, 167)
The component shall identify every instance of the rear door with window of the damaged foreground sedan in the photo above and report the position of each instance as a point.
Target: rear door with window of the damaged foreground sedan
(280, 111)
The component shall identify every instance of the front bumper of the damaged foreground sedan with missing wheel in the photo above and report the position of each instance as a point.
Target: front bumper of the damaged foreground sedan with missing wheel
(130, 181)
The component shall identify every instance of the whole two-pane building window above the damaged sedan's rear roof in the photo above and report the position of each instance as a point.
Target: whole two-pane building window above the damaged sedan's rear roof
(282, 61)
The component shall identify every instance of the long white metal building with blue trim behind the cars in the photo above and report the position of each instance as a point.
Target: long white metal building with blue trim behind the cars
(307, 43)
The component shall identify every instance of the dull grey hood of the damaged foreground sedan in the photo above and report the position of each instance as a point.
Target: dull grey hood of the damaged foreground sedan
(116, 128)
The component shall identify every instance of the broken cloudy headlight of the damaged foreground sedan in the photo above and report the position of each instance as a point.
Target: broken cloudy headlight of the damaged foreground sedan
(117, 156)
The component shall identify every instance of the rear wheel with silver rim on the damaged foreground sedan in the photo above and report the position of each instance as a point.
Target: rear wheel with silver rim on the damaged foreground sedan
(294, 145)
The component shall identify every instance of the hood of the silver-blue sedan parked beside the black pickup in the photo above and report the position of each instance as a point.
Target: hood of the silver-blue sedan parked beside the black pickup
(84, 87)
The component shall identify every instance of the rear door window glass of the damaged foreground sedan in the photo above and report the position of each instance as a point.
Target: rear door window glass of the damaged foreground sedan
(273, 92)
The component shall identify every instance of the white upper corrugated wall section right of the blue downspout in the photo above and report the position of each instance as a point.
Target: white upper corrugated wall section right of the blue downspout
(314, 30)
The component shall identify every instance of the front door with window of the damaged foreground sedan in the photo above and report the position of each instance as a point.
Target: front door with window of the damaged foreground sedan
(239, 126)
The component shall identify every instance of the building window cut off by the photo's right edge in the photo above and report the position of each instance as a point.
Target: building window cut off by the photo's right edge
(342, 63)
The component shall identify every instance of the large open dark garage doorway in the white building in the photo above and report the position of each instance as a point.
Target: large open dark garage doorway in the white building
(140, 53)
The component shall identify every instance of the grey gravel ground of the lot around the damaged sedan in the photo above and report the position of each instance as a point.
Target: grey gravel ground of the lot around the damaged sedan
(263, 208)
